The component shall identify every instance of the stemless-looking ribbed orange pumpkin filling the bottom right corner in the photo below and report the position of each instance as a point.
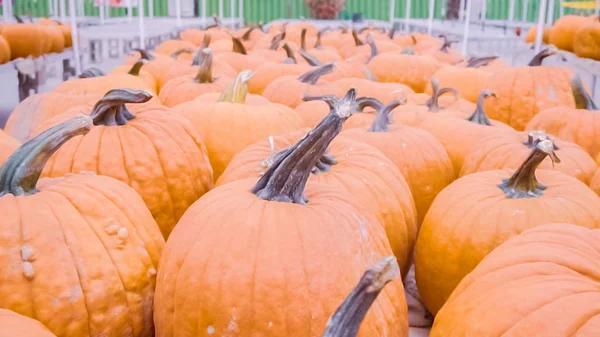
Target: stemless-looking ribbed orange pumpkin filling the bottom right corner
(547, 274)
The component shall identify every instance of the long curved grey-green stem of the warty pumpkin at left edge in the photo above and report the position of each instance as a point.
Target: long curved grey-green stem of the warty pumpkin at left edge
(21, 171)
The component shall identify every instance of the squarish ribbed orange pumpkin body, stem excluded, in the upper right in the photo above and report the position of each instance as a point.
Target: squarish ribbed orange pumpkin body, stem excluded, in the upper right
(522, 92)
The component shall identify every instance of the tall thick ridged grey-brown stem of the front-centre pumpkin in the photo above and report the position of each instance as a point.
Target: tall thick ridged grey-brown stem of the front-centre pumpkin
(285, 180)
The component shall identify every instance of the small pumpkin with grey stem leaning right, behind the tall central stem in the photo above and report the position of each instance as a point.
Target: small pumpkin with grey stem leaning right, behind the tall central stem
(289, 90)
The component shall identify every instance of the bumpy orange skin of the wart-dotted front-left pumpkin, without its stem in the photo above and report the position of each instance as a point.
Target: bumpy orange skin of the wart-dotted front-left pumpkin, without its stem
(81, 257)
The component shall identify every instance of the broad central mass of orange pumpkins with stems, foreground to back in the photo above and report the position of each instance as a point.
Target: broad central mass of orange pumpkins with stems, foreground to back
(271, 182)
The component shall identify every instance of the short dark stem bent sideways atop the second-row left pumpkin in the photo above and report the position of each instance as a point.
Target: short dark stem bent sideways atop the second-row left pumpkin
(110, 110)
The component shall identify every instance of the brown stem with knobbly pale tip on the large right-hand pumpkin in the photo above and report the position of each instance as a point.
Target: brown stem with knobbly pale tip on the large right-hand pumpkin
(523, 183)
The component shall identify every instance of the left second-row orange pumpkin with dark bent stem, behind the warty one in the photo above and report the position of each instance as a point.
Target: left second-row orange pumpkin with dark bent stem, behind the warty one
(154, 151)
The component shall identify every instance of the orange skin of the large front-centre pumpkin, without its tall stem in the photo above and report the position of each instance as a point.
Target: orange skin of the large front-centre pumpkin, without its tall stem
(300, 261)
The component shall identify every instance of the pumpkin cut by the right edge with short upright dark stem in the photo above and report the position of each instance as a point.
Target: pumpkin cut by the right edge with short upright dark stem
(579, 124)
